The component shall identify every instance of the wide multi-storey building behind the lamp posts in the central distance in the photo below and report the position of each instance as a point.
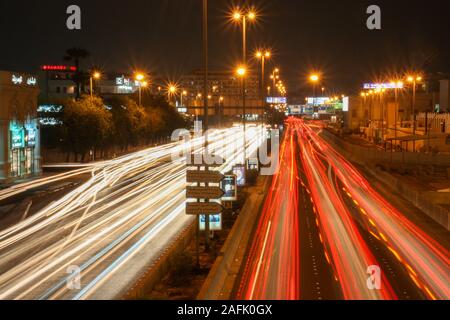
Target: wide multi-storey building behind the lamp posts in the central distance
(224, 94)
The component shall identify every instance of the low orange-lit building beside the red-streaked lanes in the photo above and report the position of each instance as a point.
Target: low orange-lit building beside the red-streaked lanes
(390, 115)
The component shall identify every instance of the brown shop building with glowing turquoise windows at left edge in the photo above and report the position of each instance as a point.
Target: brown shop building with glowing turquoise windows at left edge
(19, 129)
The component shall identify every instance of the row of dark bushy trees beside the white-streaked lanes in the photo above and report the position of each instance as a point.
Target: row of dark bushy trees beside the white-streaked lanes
(91, 127)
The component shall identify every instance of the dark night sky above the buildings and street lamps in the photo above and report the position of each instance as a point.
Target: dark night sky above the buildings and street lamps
(163, 37)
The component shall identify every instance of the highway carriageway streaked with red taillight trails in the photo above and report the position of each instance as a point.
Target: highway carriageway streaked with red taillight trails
(326, 233)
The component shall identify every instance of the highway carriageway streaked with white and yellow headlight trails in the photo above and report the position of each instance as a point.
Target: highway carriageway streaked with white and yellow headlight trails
(110, 228)
